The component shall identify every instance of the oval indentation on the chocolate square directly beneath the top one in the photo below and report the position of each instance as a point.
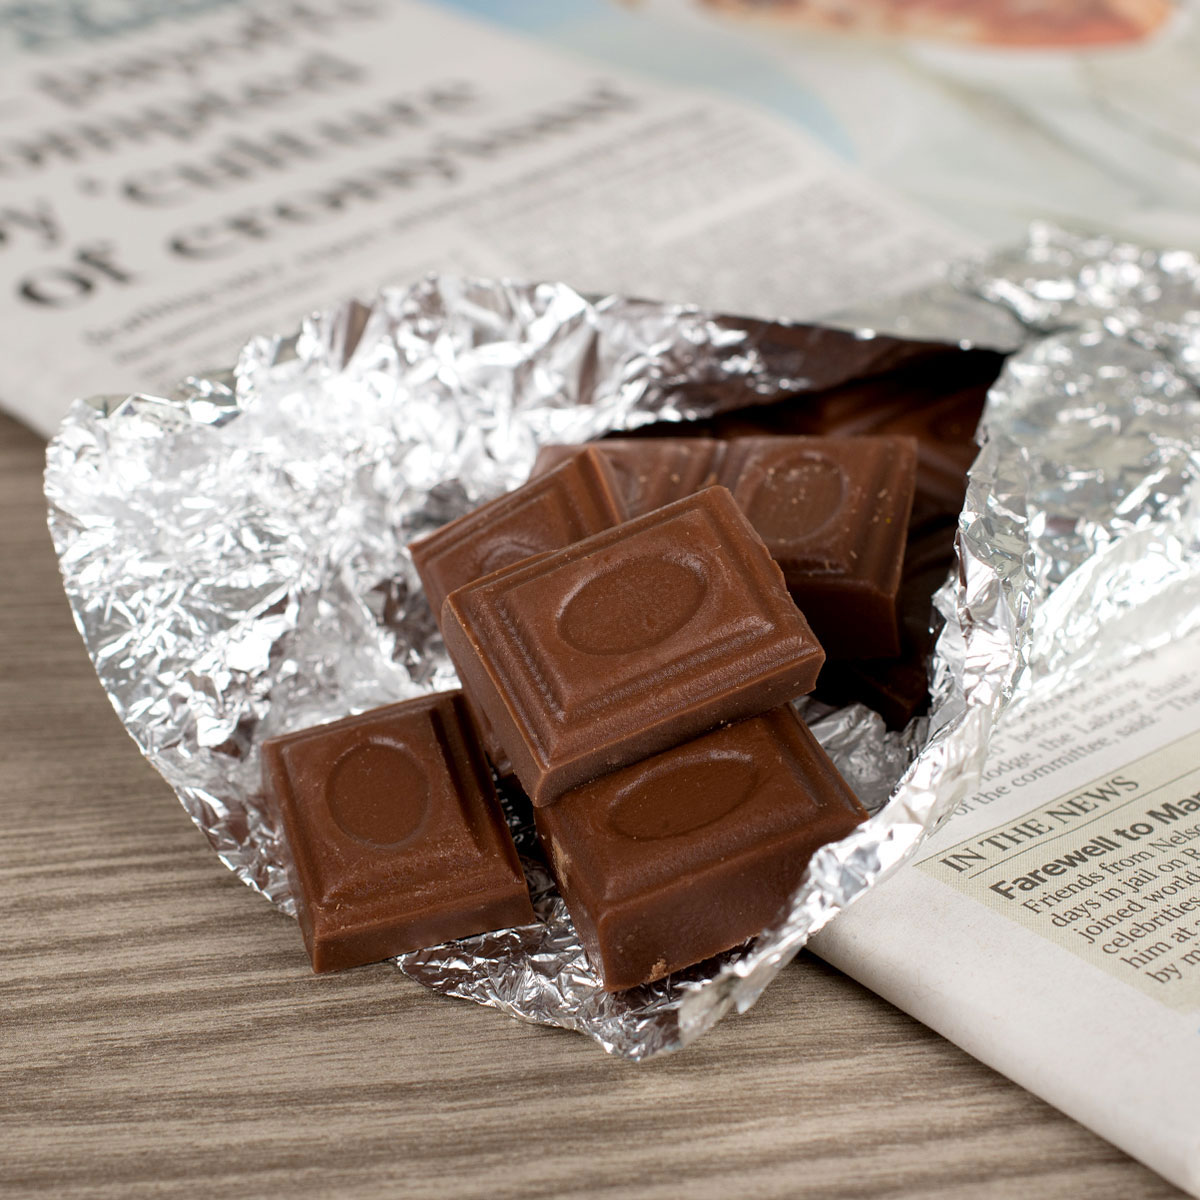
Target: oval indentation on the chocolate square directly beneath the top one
(682, 797)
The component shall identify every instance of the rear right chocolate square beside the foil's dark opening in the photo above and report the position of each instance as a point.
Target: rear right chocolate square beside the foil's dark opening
(833, 513)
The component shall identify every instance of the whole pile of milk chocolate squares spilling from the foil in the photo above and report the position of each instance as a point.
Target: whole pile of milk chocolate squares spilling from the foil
(629, 628)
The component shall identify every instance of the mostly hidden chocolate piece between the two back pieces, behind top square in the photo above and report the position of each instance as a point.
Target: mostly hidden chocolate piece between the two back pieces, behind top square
(650, 473)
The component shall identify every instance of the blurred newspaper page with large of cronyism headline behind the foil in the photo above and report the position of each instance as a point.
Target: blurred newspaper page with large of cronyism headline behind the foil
(170, 191)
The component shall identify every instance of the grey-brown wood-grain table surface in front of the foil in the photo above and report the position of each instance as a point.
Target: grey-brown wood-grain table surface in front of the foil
(161, 1033)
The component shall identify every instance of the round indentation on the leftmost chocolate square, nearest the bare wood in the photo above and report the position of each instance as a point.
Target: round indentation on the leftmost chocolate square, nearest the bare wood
(379, 794)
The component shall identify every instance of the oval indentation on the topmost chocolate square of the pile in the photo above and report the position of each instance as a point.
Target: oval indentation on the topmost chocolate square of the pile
(633, 607)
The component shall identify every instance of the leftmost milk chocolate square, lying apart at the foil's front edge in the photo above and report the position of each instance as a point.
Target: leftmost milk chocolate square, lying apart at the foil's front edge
(395, 837)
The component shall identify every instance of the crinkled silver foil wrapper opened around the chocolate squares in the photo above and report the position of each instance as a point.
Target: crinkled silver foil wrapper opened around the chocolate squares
(235, 553)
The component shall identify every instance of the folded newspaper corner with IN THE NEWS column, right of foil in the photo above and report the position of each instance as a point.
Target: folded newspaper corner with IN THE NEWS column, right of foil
(1052, 927)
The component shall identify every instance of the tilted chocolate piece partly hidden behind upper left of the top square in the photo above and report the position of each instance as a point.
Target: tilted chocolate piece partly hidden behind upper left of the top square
(578, 499)
